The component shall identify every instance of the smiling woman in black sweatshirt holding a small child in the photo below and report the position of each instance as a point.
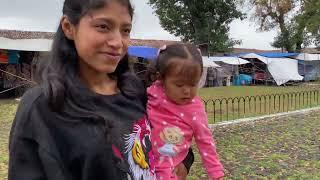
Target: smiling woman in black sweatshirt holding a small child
(86, 120)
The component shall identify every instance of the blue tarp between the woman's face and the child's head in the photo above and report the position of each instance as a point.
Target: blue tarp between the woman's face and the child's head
(143, 52)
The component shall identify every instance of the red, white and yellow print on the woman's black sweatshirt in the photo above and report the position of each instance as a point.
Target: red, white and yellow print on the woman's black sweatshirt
(138, 147)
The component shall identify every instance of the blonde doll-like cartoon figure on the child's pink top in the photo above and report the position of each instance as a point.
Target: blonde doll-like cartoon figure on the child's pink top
(172, 137)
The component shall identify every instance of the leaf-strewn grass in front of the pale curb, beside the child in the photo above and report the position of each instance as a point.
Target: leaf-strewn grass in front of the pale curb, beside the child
(280, 148)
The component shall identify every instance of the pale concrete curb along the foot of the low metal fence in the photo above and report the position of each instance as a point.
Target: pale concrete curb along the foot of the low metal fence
(253, 119)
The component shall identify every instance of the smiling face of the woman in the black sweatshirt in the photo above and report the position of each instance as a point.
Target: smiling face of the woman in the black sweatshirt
(102, 37)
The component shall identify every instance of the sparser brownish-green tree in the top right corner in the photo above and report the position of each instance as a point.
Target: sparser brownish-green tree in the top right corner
(297, 20)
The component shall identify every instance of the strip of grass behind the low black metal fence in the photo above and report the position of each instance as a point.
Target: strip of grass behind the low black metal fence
(234, 102)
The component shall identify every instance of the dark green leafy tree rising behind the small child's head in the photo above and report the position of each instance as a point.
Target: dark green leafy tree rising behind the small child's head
(199, 21)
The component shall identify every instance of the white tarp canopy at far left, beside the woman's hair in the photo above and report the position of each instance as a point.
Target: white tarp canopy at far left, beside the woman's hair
(26, 44)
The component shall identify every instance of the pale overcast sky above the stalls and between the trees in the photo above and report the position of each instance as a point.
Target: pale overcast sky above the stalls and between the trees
(43, 15)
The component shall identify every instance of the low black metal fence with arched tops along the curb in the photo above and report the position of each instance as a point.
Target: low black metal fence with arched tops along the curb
(249, 106)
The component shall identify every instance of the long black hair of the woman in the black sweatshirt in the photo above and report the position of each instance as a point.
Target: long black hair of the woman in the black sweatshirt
(62, 66)
